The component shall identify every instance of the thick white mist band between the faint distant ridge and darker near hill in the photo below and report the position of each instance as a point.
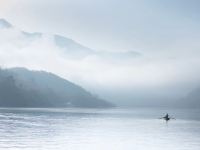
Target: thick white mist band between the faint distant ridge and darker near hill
(96, 69)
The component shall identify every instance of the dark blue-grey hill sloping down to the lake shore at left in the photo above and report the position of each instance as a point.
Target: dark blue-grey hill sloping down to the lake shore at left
(20, 87)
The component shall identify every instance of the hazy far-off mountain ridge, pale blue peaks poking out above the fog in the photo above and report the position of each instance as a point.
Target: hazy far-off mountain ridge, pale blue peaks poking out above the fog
(16, 38)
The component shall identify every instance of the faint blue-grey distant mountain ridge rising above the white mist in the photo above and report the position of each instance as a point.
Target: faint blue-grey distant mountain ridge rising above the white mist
(67, 46)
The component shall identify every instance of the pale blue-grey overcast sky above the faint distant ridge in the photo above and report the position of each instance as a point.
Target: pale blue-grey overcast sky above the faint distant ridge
(139, 25)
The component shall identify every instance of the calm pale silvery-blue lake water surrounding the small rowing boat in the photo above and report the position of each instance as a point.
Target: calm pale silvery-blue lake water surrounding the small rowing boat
(98, 129)
